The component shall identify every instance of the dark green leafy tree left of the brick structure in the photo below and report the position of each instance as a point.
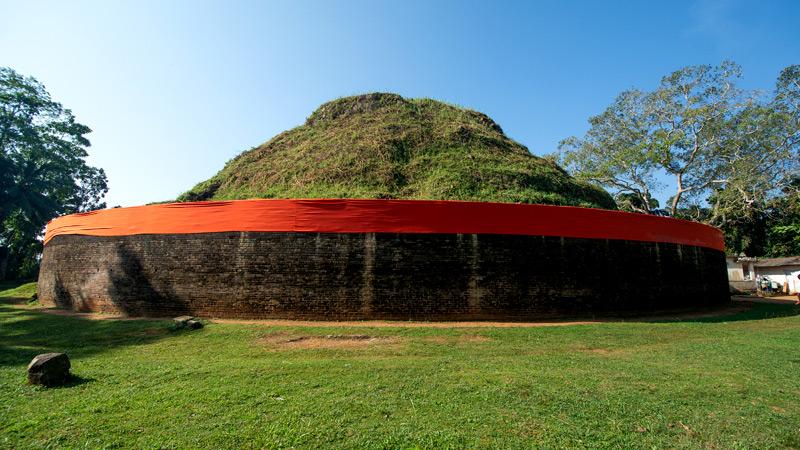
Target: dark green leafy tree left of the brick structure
(43, 172)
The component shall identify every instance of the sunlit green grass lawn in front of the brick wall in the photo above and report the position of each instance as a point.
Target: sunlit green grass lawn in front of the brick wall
(721, 383)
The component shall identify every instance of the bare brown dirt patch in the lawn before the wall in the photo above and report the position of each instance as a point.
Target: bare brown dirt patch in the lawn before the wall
(328, 341)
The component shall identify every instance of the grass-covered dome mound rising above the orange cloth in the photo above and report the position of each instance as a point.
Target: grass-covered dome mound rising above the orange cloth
(385, 146)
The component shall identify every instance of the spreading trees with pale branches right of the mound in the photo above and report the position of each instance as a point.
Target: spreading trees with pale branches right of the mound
(731, 155)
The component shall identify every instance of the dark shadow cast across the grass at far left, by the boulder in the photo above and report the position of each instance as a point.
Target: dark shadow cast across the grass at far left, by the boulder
(25, 333)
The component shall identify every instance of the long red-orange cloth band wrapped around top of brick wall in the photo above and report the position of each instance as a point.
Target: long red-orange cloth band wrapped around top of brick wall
(385, 216)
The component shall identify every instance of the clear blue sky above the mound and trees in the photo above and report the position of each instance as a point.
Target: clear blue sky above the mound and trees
(174, 89)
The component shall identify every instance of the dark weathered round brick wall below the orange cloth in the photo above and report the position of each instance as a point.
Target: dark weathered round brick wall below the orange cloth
(376, 276)
